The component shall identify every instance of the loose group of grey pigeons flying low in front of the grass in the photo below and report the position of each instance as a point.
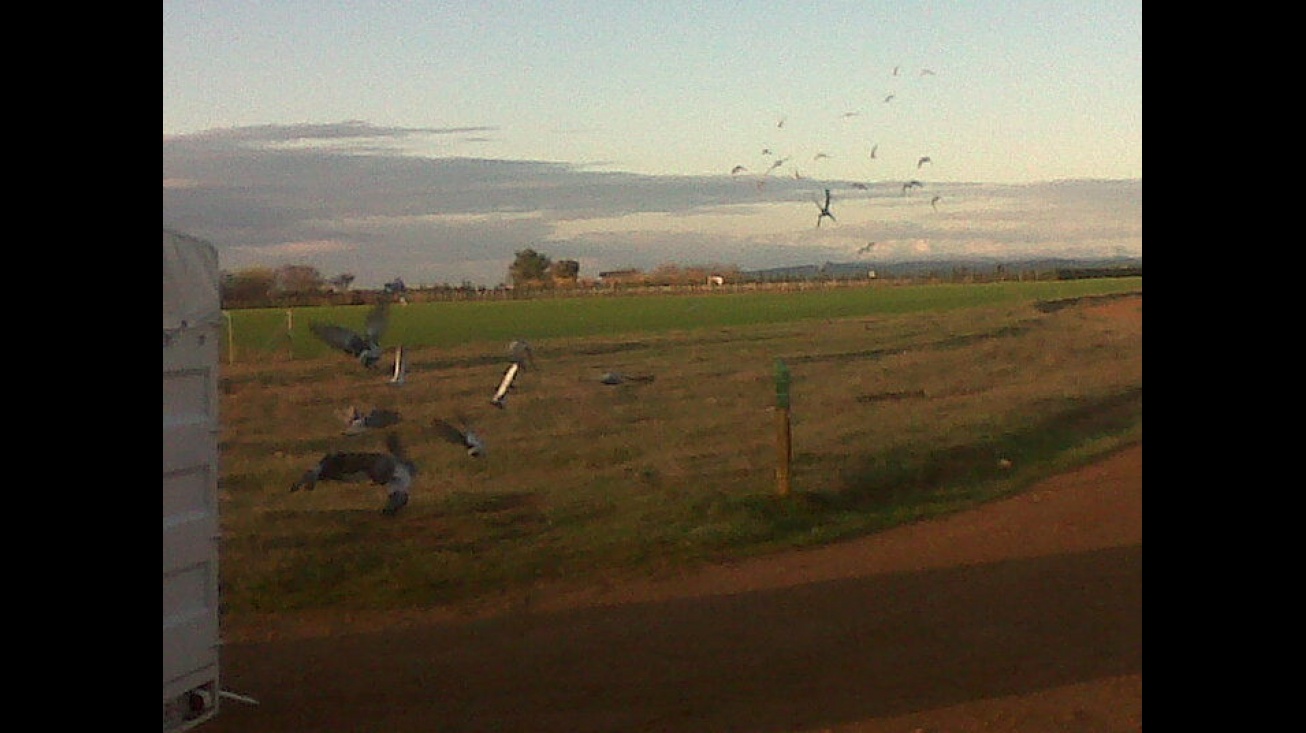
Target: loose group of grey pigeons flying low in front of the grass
(394, 468)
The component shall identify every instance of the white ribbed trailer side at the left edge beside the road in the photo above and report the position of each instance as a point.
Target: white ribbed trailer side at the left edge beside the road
(193, 322)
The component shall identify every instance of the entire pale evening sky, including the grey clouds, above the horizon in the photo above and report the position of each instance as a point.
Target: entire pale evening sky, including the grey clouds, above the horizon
(433, 140)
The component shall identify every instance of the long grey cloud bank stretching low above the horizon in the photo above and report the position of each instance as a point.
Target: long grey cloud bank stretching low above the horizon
(351, 198)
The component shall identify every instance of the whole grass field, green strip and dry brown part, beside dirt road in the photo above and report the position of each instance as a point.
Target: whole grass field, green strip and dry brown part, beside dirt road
(908, 402)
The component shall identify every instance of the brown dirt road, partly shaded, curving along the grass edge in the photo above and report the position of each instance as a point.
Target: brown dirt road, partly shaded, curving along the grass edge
(1025, 615)
